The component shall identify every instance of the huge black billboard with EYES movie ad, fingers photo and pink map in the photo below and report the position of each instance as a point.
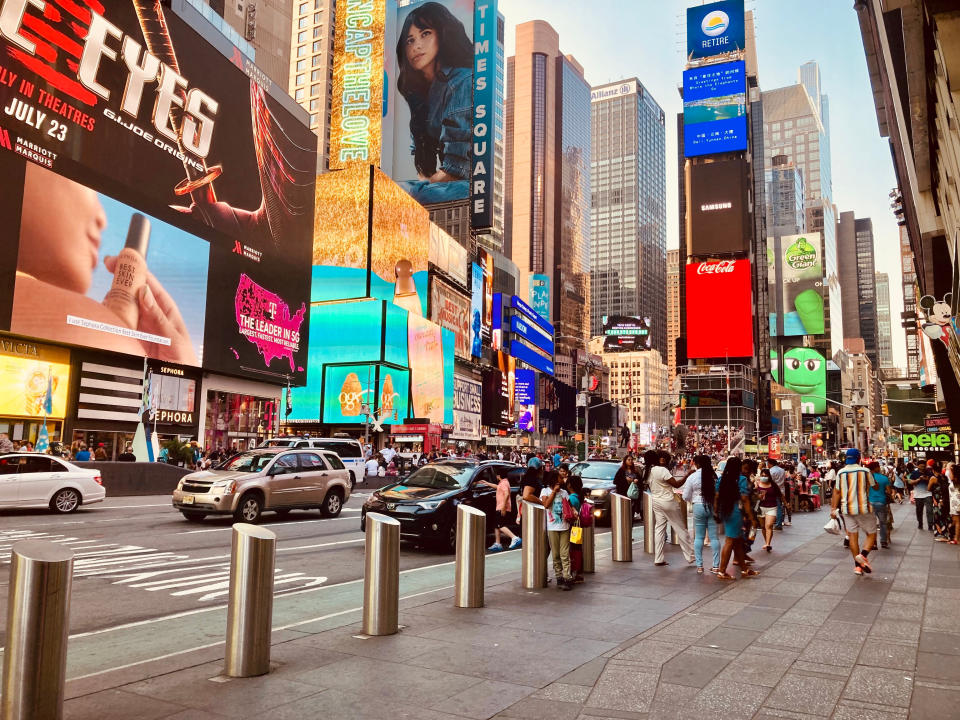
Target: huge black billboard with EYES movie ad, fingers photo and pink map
(126, 130)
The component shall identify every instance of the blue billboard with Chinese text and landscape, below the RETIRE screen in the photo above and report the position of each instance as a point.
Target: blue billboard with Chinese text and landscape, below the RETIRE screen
(715, 109)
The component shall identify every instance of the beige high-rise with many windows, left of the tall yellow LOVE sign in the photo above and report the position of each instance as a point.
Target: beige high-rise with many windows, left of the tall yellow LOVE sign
(310, 67)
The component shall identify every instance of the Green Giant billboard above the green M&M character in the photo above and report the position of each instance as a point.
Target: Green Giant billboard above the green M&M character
(795, 278)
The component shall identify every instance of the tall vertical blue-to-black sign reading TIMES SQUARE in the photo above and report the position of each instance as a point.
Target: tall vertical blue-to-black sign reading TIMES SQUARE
(484, 97)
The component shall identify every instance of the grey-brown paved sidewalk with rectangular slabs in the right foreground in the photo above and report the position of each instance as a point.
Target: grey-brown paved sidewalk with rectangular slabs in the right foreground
(806, 639)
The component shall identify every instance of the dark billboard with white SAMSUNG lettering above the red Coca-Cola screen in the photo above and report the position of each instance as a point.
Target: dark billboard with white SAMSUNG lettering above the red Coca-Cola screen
(718, 211)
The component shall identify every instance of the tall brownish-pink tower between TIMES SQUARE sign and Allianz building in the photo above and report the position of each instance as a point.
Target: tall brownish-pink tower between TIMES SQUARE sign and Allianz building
(548, 179)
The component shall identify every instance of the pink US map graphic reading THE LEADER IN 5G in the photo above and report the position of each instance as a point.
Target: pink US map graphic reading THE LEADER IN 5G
(264, 319)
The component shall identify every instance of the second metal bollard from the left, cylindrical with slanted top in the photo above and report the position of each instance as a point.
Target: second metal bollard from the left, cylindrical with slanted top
(250, 602)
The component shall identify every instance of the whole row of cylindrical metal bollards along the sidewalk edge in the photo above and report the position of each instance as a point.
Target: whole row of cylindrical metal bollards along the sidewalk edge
(34, 660)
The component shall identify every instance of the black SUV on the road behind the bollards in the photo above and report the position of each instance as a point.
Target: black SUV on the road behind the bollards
(425, 502)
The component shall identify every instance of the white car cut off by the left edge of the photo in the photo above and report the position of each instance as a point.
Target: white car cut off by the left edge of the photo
(37, 480)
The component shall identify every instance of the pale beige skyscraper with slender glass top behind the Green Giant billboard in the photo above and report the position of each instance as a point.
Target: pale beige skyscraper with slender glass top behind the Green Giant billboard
(796, 124)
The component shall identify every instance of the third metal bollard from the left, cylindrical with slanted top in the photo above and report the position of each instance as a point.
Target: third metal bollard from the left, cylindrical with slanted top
(381, 576)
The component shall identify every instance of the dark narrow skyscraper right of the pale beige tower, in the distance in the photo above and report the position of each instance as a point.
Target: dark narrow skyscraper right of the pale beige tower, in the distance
(857, 275)
